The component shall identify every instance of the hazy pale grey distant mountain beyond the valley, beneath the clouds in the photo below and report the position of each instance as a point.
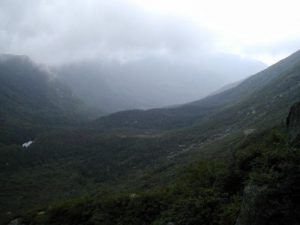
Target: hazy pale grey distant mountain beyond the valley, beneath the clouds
(152, 82)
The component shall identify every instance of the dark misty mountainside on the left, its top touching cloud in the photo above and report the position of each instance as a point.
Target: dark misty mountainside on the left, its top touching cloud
(30, 98)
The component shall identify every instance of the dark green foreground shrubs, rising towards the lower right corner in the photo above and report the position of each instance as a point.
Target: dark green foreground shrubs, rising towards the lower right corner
(259, 185)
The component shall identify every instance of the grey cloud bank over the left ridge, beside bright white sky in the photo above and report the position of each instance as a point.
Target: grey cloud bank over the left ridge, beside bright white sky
(61, 30)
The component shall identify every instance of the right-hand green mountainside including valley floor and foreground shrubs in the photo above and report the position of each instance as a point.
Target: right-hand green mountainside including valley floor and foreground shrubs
(197, 163)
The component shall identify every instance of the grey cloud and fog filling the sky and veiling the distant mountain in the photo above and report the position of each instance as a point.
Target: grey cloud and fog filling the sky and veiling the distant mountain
(124, 54)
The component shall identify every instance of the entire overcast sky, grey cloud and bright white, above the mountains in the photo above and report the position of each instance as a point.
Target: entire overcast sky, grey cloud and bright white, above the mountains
(59, 31)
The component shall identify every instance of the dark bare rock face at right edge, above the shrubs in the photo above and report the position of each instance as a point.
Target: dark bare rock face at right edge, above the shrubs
(293, 124)
